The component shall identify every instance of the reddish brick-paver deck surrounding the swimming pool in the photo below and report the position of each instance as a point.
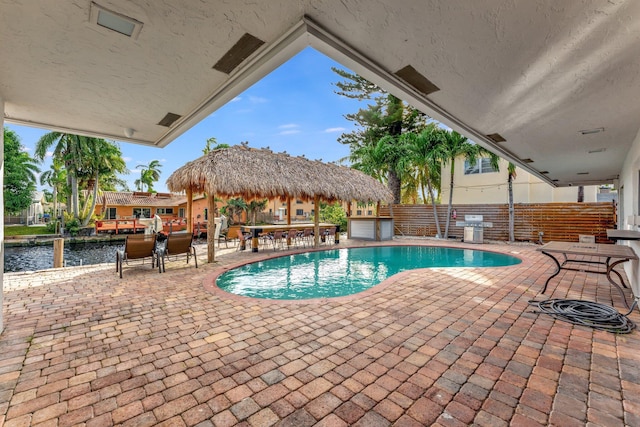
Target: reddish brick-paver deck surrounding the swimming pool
(449, 347)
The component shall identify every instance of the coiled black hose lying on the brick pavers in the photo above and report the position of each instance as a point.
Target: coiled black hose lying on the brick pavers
(586, 313)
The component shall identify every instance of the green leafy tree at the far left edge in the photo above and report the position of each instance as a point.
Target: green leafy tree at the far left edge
(19, 175)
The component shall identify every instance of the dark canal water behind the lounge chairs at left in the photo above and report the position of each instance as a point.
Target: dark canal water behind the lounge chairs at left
(34, 258)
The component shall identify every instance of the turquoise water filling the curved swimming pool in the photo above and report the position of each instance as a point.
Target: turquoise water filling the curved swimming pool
(341, 272)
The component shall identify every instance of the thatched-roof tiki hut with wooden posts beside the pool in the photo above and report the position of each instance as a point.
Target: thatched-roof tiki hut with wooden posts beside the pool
(251, 173)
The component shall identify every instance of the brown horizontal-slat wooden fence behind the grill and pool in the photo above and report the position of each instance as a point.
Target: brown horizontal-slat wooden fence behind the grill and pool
(557, 221)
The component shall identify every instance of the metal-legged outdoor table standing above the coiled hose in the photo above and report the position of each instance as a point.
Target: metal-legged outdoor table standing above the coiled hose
(577, 256)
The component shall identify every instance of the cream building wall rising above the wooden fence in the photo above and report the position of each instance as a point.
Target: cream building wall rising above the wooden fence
(492, 187)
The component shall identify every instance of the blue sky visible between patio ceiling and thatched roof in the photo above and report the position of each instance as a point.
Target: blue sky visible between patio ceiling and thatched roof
(293, 109)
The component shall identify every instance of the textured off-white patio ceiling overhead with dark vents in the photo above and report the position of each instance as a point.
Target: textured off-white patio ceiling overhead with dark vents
(534, 72)
